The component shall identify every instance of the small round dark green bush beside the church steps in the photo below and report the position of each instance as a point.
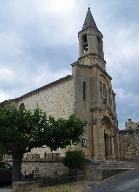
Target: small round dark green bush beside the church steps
(74, 160)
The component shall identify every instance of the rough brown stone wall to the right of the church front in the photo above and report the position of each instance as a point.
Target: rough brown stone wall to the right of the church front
(129, 144)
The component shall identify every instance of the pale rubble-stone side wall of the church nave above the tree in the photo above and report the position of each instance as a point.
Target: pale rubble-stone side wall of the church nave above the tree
(57, 99)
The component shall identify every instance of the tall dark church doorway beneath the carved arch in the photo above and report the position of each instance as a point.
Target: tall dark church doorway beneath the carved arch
(108, 138)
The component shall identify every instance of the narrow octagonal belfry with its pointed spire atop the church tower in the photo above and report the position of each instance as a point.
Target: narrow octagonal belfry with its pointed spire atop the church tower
(91, 40)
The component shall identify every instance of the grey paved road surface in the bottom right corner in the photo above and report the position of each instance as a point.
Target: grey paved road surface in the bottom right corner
(125, 182)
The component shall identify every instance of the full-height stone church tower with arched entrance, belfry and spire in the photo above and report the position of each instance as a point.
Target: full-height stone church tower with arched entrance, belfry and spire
(94, 97)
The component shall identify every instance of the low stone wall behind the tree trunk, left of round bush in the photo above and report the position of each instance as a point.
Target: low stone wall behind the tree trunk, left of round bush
(33, 165)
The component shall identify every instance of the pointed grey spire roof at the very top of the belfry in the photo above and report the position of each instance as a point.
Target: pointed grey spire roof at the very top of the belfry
(89, 20)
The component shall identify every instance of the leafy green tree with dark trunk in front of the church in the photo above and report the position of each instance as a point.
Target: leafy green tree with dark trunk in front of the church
(21, 130)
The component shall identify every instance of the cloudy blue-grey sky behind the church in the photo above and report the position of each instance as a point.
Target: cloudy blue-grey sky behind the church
(39, 41)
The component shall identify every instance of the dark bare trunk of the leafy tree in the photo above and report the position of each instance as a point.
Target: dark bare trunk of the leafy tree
(16, 171)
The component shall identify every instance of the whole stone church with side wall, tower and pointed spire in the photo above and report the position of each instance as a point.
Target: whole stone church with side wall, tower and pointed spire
(87, 93)
